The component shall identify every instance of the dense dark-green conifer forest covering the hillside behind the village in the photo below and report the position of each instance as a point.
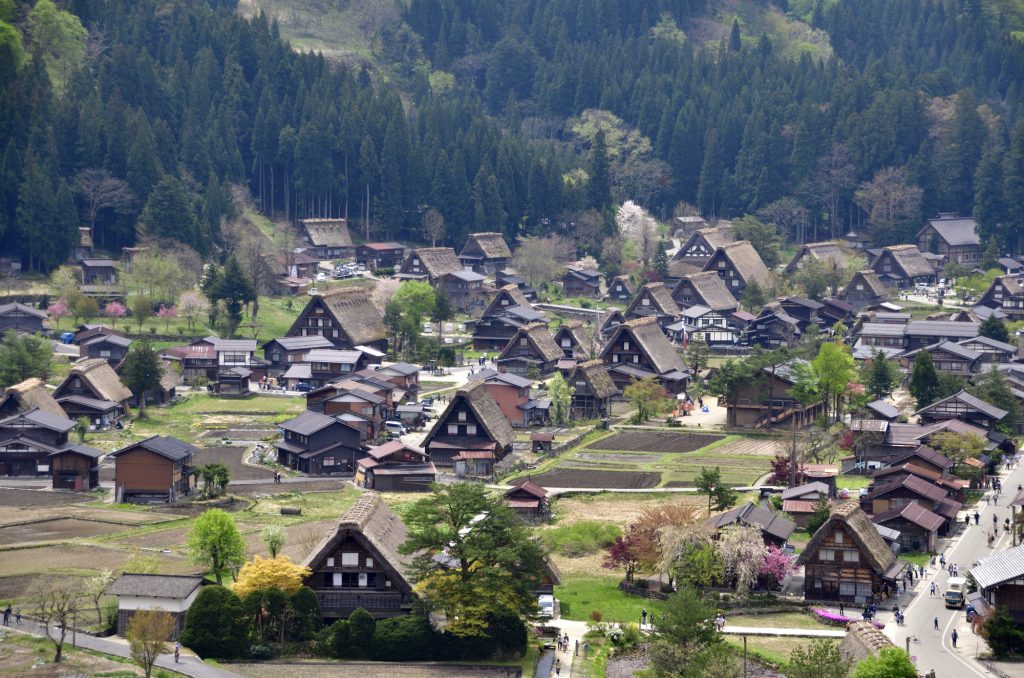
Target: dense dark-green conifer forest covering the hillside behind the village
(137, 118)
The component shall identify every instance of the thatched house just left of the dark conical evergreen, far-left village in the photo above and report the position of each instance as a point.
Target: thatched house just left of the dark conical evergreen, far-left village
(94, 390)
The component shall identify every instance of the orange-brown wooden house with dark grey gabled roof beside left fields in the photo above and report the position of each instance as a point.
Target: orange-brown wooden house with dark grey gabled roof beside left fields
(157, 470)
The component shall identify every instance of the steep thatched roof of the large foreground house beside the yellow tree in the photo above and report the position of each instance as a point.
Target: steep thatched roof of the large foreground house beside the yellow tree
(372, 522)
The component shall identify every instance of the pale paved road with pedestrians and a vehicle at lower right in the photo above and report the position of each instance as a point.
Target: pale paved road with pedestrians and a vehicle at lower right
(934, 649)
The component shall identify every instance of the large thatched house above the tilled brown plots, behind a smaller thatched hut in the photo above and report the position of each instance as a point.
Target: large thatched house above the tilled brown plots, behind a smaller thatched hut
(638, 350)
